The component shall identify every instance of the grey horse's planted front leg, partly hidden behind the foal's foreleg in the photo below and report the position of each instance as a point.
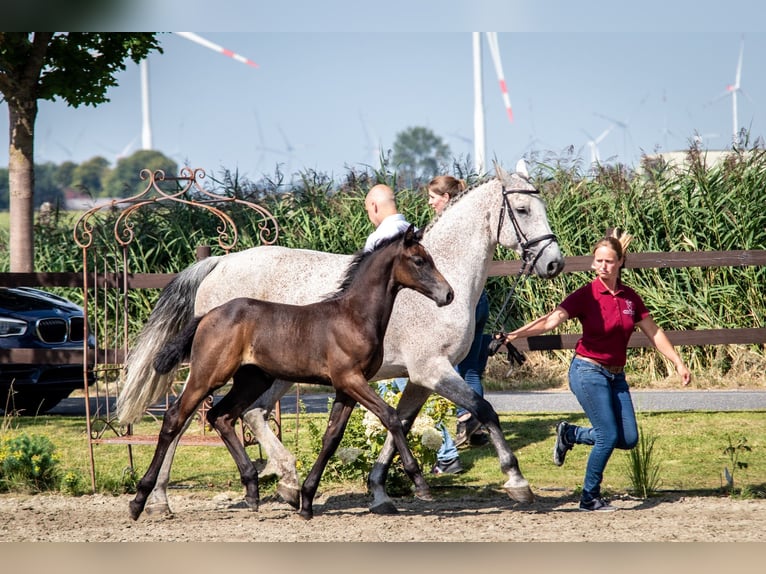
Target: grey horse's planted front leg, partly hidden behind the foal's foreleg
(412, 400)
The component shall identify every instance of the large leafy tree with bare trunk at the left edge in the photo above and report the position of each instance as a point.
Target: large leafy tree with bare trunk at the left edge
(78, 67)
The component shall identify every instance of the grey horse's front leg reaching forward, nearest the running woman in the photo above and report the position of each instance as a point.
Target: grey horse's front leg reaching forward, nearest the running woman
(452, 387)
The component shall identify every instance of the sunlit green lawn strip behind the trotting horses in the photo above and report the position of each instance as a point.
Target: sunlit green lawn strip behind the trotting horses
(689, 449)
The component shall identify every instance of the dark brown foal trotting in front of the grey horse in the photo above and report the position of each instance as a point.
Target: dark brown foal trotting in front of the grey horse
(337, 342)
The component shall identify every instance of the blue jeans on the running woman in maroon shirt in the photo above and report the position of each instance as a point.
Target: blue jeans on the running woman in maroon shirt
(605, 398)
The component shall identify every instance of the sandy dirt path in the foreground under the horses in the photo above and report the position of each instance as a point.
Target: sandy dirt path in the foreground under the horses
(344, 517)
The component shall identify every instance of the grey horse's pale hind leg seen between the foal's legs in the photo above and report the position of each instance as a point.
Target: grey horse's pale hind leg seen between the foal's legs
(280, 461)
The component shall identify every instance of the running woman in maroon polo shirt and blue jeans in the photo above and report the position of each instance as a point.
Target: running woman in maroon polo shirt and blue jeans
(609, 311)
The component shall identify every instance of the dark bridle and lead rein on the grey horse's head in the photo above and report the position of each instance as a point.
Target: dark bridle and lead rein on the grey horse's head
(527, 265)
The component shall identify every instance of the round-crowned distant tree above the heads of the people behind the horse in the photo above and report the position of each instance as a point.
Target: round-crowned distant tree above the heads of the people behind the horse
(419, 154)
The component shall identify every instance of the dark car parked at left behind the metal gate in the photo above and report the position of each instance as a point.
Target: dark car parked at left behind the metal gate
(35, 319)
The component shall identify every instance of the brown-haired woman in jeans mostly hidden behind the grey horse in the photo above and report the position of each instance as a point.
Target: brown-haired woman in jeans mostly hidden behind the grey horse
(441, 190)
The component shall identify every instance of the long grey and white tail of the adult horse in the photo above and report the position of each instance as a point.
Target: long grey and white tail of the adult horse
(175, 308)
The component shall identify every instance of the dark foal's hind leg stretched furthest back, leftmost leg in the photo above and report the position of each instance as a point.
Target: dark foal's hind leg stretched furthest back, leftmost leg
(173, 423)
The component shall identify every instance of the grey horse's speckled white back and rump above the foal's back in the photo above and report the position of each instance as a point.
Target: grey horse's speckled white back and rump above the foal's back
(272, 273)
